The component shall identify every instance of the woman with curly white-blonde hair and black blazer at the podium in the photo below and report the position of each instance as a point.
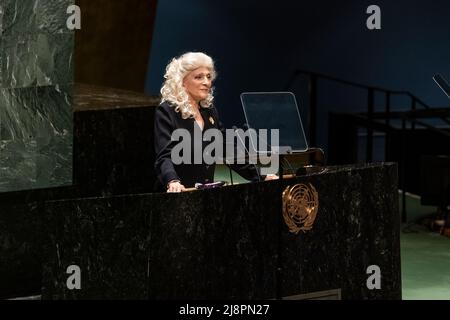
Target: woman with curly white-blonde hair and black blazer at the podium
(187, 103)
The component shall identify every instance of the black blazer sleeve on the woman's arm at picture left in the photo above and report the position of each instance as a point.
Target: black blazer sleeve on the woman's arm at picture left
(164, 126)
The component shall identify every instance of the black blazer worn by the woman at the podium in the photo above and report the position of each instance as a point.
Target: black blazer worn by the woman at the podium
(166, 121)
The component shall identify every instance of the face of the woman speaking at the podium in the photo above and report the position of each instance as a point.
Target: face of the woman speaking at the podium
(197, 84)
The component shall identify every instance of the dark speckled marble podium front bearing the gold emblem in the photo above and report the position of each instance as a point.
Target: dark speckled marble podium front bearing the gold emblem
(225, 243)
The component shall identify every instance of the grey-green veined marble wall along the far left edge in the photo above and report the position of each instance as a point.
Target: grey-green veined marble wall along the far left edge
(36, 77)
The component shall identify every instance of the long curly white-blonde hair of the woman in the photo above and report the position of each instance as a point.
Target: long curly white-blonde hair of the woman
(173, 91)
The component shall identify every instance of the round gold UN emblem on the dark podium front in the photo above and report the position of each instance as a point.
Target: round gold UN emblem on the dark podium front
(300, 206)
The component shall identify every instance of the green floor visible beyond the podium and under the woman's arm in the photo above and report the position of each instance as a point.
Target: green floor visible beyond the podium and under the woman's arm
(425, 255)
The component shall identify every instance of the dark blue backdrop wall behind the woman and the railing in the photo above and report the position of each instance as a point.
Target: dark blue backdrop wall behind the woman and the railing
(258, 44)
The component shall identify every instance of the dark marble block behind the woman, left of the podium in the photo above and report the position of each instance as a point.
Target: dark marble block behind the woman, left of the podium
(112, 154)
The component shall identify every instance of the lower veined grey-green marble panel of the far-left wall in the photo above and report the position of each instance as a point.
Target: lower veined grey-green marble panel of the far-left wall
(35, 137)
